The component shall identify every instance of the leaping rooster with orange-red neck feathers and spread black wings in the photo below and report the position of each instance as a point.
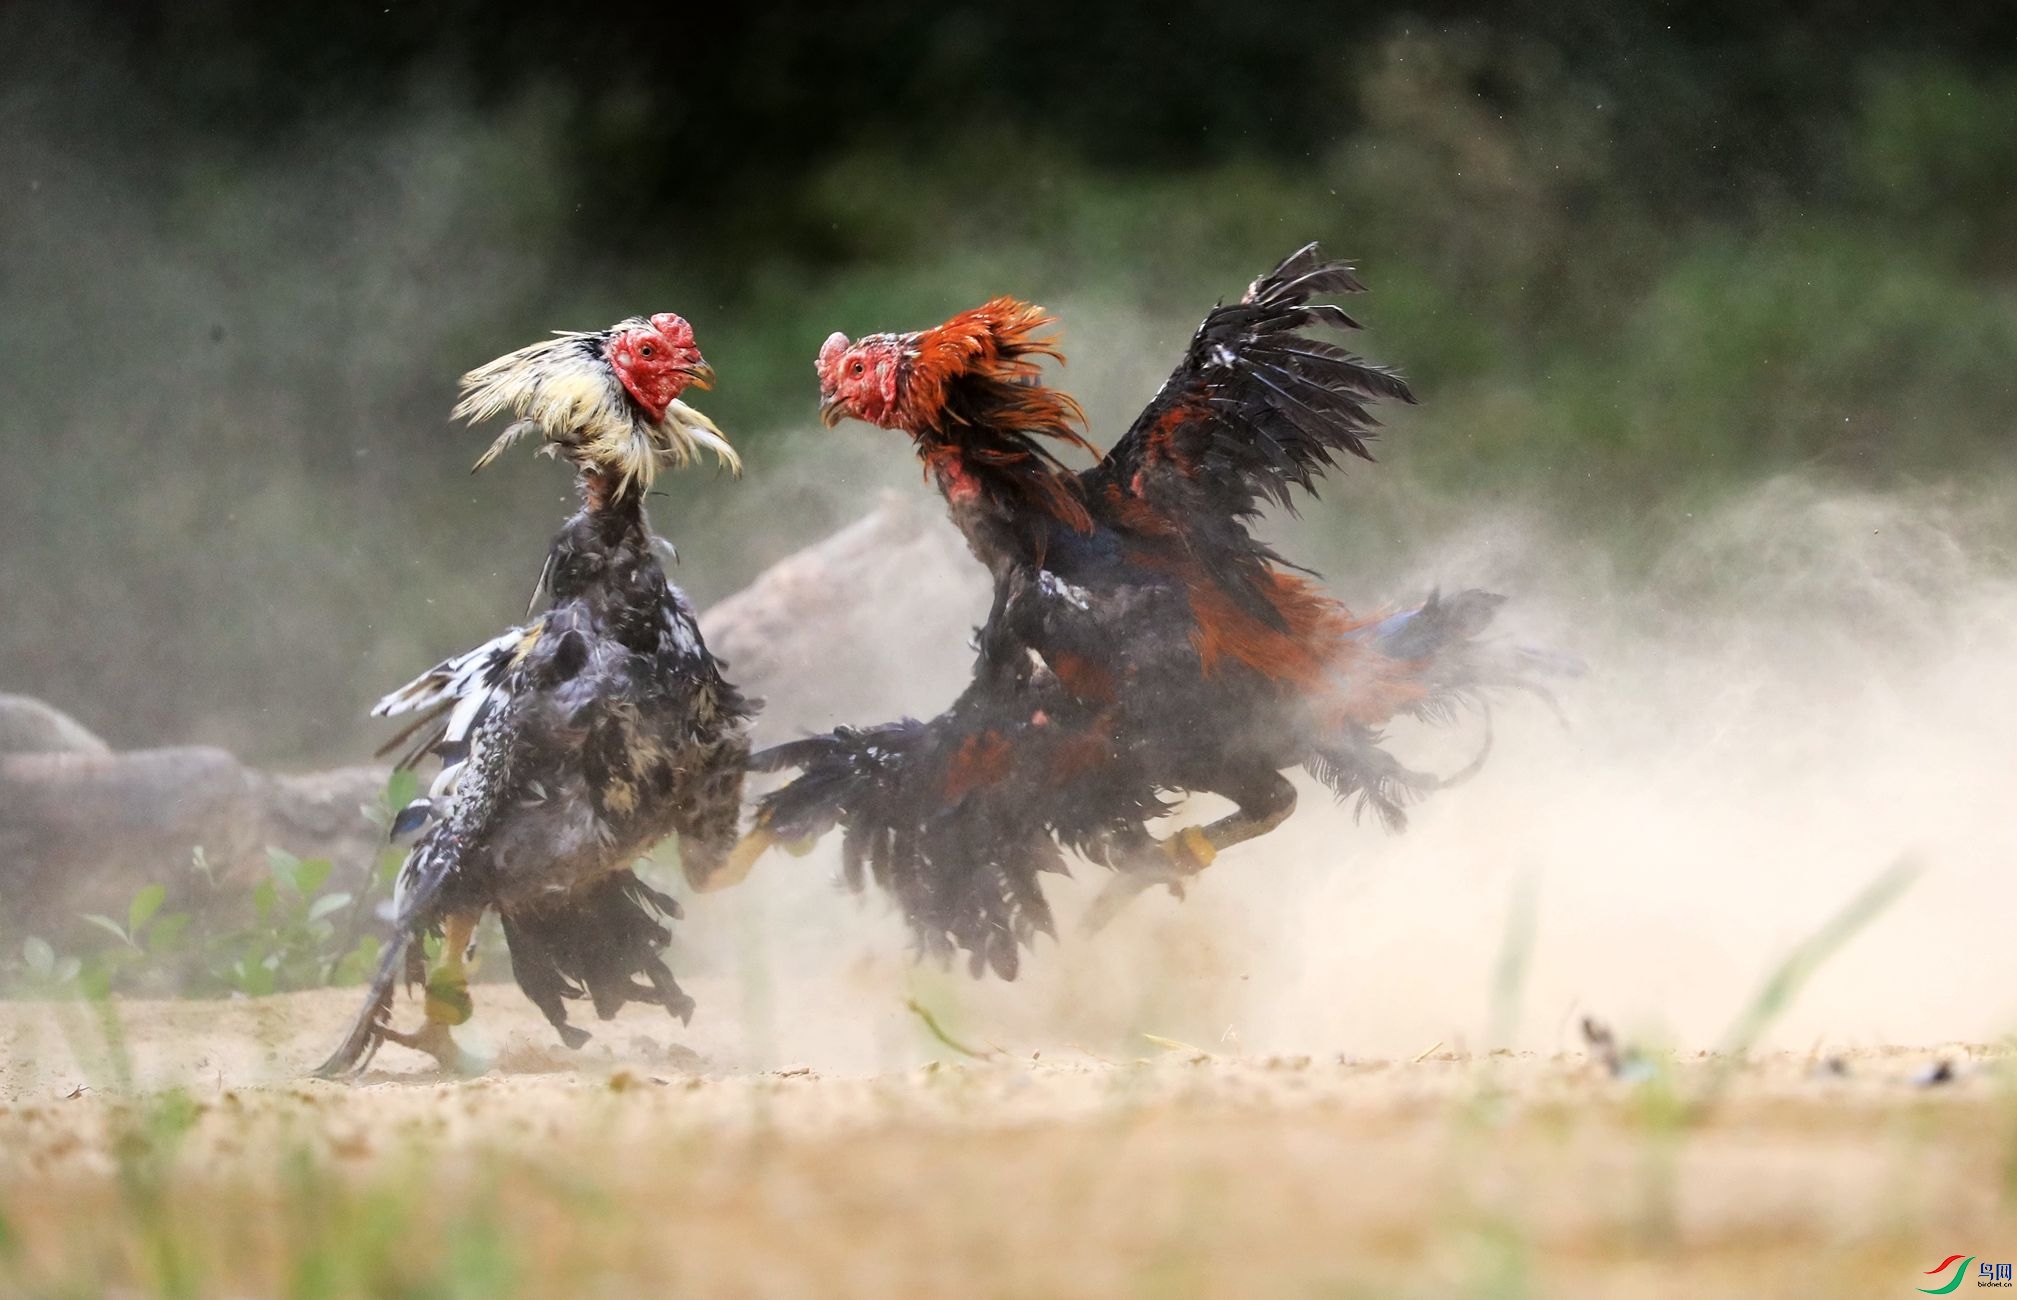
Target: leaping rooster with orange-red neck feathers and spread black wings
(1143, 642)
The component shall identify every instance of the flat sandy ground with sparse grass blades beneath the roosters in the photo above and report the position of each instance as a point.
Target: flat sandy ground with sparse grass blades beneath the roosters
(655, 1164)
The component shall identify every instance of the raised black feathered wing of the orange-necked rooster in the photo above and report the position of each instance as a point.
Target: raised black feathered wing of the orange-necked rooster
(1256, 408)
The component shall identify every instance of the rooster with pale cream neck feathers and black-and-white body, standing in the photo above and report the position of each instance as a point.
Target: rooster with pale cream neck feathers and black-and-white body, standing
(572, 745)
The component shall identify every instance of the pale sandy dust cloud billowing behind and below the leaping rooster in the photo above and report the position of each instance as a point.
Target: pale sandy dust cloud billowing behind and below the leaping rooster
(1784, 696)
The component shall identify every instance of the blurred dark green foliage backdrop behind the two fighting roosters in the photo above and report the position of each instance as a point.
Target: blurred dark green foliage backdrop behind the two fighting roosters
(1631, 263)
